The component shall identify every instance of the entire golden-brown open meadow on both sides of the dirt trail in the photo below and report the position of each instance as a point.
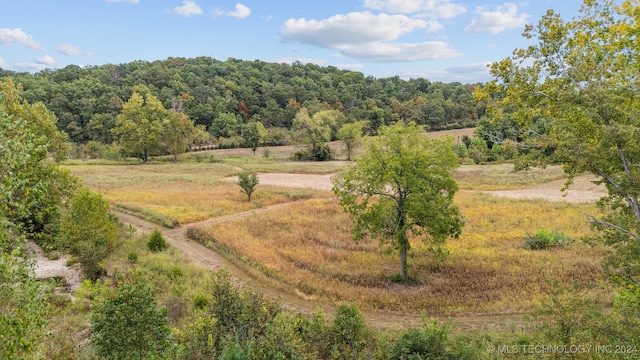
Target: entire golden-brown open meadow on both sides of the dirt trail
(305, 247)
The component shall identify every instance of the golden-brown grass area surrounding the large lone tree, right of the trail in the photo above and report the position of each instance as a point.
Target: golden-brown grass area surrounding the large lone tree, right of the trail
(307, 247)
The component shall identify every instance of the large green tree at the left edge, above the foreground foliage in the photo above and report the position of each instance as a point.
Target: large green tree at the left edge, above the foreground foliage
(31, 189)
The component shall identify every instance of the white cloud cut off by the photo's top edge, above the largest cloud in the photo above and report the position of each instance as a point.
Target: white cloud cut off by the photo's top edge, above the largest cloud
(437, 9)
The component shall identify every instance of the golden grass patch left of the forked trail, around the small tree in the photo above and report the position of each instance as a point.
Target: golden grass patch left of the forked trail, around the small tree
(178, 194)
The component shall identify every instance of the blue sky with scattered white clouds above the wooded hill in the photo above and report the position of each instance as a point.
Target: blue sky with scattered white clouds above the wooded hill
(440, 40)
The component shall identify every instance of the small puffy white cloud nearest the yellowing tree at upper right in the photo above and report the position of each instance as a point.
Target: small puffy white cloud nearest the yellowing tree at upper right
(503, 18)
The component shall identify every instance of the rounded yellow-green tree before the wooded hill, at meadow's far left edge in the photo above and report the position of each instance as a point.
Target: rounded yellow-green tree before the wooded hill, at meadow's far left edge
(139, 126)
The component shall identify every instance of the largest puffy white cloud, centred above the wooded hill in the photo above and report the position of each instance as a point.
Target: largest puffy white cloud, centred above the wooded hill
(350, 29)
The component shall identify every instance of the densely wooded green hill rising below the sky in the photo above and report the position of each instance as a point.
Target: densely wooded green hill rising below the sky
(87, 100)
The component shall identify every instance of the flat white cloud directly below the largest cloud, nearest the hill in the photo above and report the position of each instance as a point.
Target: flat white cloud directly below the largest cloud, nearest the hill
(388, 52)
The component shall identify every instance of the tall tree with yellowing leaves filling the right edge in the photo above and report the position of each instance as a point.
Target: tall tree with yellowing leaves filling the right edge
(581, 78)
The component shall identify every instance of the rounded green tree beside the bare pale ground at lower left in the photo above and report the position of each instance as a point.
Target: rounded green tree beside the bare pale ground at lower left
(89, 231)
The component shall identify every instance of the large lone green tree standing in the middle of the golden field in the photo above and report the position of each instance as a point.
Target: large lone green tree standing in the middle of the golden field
(402, 185)
